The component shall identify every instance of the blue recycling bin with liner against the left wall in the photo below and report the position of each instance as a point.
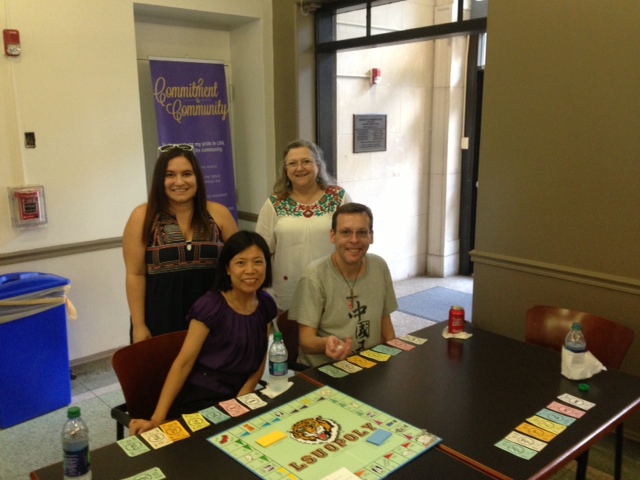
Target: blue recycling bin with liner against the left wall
(34, 352)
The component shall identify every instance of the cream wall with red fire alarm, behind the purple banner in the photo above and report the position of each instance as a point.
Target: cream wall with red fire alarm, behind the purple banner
(76, 86)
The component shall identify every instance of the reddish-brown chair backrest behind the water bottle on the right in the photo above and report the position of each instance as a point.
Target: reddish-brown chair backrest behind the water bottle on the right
(607, 340)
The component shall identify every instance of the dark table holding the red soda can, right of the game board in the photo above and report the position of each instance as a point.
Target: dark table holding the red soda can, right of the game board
(474, 392)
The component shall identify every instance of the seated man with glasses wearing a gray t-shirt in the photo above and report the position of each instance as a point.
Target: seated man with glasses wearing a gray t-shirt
(343, 302)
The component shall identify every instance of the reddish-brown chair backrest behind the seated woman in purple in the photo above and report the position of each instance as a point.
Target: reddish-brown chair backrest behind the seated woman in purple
(142, 369)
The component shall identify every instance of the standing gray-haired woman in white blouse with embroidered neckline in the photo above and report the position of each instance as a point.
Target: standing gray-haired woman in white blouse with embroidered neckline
(296, 219)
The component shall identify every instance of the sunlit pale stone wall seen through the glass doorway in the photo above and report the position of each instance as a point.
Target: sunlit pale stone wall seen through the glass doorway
(422, 94)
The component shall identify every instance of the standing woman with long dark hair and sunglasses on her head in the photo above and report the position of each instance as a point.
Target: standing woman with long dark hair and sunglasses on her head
(171, 245)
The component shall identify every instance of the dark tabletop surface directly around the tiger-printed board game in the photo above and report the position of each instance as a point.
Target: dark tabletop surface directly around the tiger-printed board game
(196, 458)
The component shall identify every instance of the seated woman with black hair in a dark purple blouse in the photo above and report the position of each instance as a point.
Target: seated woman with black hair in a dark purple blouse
(224, 353)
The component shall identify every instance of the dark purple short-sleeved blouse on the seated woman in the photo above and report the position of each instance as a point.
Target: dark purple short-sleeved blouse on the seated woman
(236, 344)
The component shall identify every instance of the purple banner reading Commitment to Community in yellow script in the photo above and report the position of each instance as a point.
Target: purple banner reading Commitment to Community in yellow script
(192, 107)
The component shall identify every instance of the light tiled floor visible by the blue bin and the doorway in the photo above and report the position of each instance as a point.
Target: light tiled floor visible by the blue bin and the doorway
(35, 444)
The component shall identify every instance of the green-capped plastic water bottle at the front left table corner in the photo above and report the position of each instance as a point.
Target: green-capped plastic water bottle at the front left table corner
(75, 446)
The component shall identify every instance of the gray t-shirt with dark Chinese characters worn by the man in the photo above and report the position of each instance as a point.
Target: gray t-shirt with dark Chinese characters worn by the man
(320, 301)
